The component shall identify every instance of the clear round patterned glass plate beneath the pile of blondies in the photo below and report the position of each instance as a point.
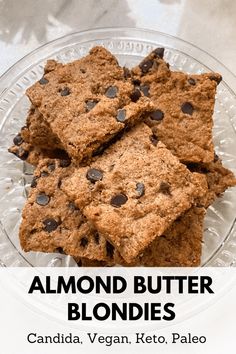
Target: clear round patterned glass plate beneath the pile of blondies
(129, 46)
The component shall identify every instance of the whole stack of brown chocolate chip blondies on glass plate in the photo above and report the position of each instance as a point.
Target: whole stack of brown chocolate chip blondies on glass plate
(125, 162)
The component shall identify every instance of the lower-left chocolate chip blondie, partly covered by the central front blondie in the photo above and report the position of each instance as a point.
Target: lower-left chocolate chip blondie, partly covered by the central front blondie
(51, 223)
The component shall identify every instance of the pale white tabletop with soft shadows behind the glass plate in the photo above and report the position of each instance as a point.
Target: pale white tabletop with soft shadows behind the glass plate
(27, 24)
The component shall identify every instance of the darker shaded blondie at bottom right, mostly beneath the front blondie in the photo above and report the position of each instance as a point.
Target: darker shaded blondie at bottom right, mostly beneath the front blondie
(179, 246)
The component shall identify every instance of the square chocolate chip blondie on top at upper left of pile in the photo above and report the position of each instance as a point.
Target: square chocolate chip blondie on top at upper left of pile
(87, 102)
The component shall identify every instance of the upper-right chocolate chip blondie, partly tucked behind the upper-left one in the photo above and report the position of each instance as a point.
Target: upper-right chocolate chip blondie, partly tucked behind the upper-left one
(184, 106)
